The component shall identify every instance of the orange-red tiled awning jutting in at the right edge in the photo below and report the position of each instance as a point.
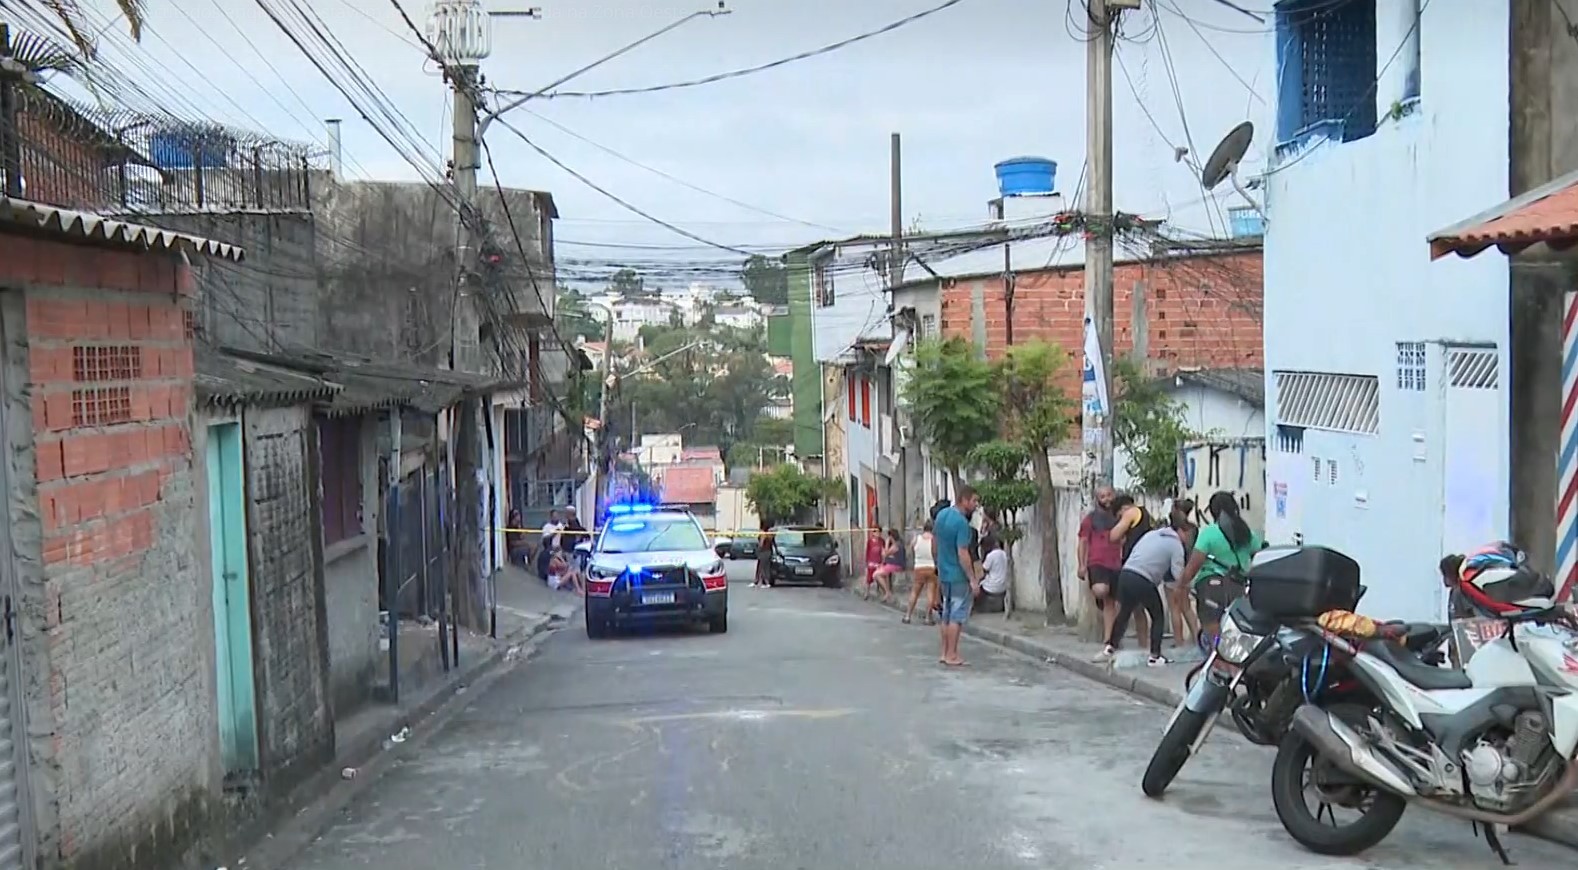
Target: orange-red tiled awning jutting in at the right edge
(1547, 214)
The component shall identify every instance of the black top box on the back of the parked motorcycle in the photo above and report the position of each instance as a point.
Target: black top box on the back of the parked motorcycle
(1303, 582)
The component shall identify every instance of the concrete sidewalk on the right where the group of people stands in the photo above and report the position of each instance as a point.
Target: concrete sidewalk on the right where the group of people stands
(1060, 645)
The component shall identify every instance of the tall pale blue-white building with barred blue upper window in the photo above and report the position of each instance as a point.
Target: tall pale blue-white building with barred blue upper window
(1386, 372)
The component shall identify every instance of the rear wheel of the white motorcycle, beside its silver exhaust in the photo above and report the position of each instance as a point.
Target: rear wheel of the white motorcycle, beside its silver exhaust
(1299, 770)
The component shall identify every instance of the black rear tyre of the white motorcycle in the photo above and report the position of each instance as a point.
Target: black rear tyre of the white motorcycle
(1293, 757)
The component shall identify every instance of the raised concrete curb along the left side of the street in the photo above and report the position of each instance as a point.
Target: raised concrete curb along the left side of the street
(283, 831)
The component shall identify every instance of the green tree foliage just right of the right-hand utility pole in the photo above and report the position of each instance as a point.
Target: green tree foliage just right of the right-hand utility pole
(1150, 427)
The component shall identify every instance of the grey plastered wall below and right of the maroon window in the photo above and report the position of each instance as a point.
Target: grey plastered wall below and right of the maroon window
(351, 591)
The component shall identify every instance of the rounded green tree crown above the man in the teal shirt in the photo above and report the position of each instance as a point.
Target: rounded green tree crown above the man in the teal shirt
(954, 400)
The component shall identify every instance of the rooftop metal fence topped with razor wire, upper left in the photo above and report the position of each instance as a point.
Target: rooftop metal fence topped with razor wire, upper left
(78, 157)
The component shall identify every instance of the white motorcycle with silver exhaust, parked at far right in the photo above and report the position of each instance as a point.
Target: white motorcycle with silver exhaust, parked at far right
(1495, 743)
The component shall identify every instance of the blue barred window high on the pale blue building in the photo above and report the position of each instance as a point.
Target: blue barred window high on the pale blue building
(1326, 69)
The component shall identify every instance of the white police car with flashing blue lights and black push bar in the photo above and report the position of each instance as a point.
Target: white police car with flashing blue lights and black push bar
(654, 564)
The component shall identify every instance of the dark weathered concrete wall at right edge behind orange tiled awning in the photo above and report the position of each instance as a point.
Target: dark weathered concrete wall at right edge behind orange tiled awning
(1544, 146)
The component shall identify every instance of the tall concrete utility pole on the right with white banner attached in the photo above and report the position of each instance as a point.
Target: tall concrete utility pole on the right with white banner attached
(1097, 419)
